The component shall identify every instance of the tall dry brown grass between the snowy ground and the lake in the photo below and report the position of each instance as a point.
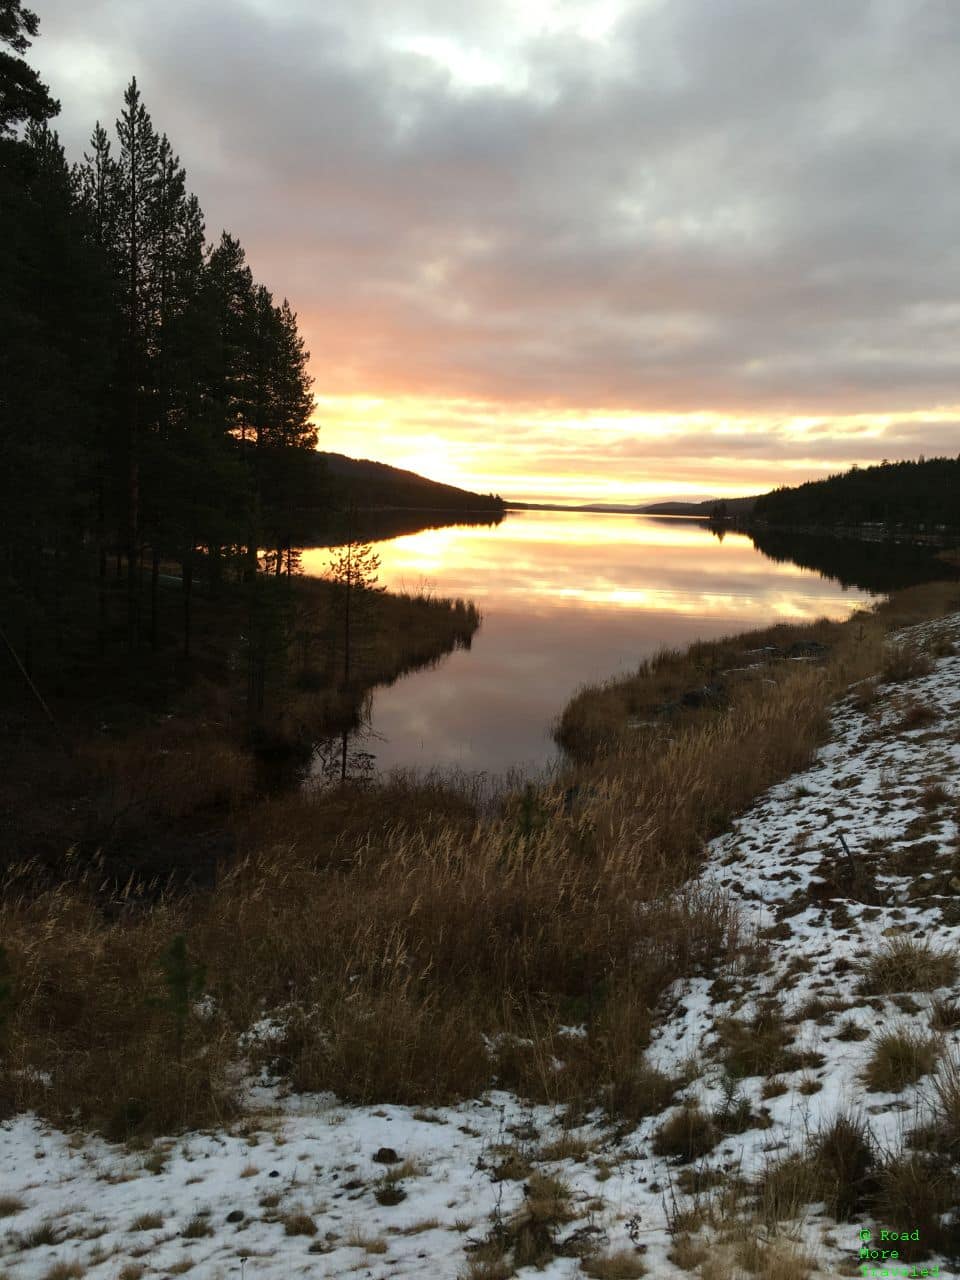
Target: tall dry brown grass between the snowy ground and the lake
(408, 950)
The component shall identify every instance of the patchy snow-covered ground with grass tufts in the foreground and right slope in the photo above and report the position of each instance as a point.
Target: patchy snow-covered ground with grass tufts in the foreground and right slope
(298, 1188)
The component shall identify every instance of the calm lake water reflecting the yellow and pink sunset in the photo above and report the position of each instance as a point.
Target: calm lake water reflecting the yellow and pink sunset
(568, 600)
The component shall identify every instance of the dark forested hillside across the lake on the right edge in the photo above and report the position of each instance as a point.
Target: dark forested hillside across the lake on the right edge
(916, 496)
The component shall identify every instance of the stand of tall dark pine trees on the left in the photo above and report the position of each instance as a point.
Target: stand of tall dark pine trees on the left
(156, 397)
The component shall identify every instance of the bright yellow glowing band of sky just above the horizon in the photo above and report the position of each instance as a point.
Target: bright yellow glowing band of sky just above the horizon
(601, 455)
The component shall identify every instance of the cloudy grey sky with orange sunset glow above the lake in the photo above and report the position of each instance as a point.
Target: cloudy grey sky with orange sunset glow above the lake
(565, 250)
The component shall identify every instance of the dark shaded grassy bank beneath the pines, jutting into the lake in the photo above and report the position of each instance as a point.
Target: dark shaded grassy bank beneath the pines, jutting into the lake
(157, 757)
